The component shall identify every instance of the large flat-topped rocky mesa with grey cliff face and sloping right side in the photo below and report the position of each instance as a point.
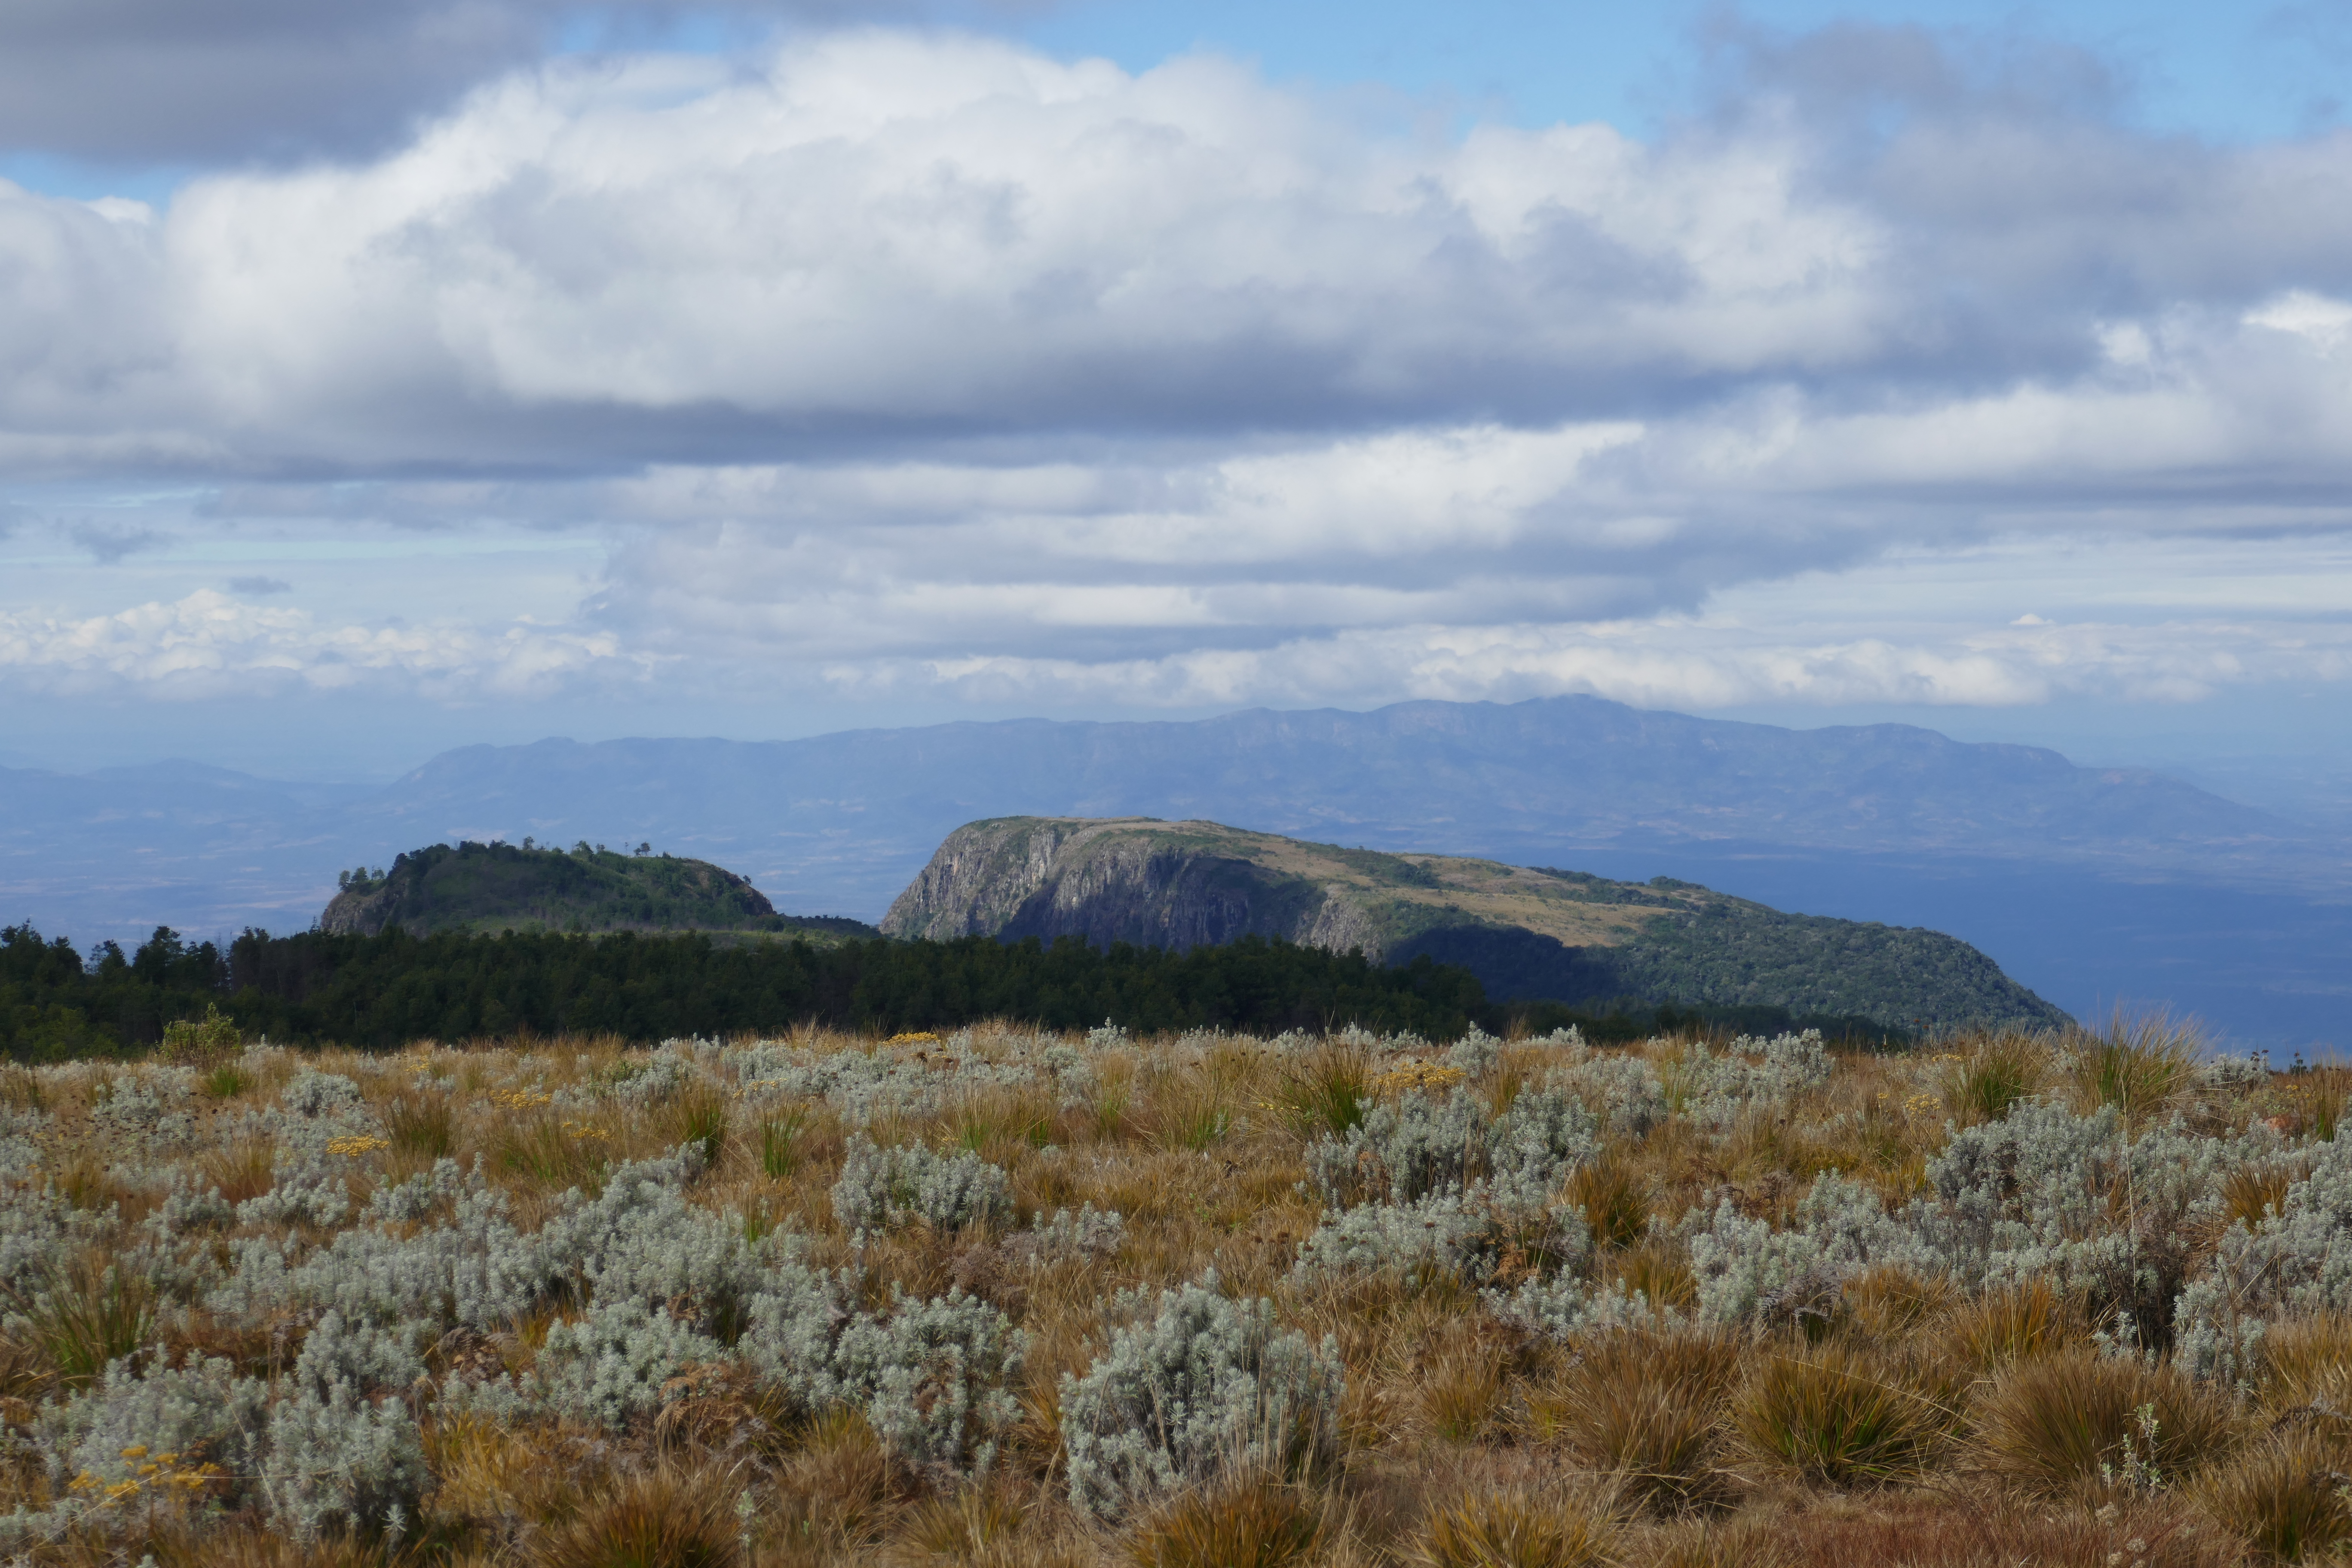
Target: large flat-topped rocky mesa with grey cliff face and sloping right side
(1523, 932)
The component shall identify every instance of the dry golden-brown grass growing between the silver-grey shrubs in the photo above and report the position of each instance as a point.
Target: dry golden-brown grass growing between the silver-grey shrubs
(1925, 1428)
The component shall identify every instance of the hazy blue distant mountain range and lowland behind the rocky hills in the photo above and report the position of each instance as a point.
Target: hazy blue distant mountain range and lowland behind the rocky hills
(2087, 885)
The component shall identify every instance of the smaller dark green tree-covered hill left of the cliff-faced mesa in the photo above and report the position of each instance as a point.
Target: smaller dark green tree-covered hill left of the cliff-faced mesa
(502, 887)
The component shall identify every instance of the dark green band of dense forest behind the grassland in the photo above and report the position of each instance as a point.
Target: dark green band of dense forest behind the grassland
(389, 991)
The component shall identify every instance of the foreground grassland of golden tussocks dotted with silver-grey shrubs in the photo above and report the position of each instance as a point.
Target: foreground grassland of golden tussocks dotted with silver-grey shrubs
(1187, 1301)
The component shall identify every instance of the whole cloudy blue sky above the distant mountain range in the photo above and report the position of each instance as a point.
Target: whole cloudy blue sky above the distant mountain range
(382, 380)
